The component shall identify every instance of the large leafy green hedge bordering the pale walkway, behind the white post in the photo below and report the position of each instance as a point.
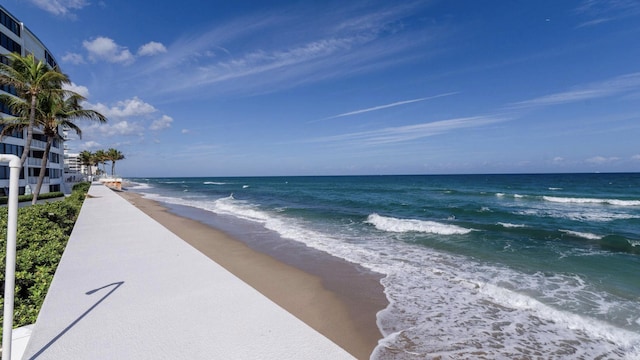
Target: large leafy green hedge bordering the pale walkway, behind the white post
(43, 232)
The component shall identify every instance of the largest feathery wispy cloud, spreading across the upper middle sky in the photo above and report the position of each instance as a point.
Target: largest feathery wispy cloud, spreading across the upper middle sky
(238, 57)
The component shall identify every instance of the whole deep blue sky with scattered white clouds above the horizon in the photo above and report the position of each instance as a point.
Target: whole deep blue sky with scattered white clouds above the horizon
(243, 88)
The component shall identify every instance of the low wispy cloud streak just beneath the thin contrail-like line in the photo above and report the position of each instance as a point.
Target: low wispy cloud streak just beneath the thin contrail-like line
(410, 132)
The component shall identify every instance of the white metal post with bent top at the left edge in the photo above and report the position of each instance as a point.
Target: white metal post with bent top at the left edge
(10, 272)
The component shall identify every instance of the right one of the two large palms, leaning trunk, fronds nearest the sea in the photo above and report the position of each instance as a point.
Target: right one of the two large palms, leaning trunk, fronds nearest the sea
(57, 111)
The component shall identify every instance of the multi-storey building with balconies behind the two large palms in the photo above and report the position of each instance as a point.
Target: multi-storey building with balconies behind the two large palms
(16, 37)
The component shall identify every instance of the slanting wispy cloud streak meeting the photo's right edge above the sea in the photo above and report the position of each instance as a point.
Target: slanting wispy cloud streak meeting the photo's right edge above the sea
(618, 85)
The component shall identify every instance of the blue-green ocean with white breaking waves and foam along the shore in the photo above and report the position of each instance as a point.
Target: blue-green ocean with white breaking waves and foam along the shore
(543, 266)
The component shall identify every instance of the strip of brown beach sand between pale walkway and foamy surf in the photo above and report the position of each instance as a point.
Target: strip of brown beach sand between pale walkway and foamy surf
(337, 298)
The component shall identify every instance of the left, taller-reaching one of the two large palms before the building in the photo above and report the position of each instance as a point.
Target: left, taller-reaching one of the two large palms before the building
(30, 78)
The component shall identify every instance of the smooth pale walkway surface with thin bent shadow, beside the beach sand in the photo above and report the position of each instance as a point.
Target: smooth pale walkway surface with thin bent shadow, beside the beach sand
(127, 288)
